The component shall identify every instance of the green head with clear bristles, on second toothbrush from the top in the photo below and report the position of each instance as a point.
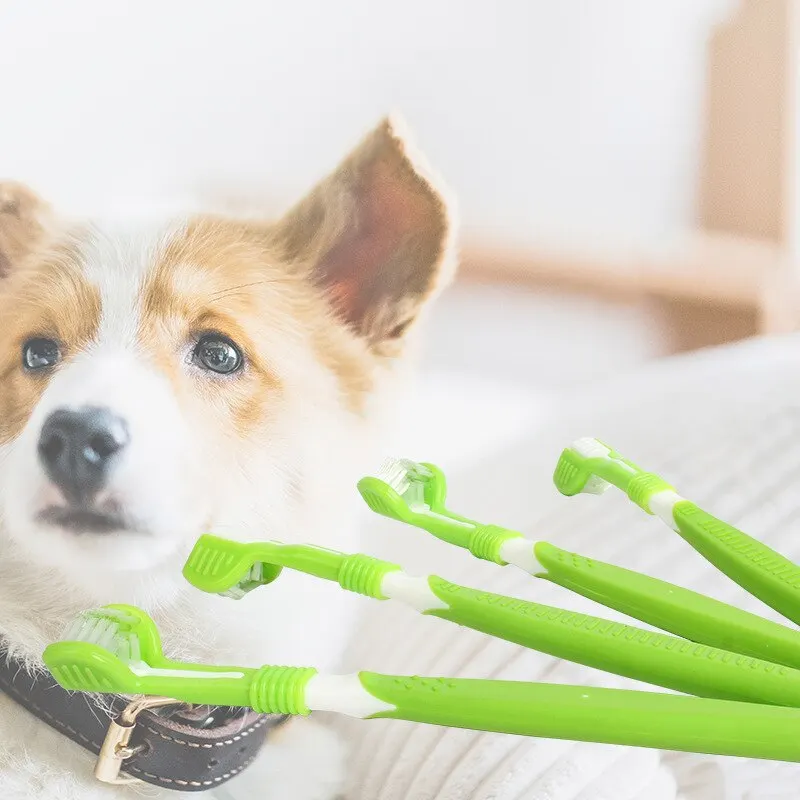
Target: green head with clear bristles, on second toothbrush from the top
(402, 489)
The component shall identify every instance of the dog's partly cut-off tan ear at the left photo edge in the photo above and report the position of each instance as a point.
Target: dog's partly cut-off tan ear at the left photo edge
(23, 216)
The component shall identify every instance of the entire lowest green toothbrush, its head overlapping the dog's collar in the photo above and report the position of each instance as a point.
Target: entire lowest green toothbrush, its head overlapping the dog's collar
(117, 649)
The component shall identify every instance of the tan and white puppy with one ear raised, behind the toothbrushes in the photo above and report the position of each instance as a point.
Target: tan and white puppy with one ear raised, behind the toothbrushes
(161, 379)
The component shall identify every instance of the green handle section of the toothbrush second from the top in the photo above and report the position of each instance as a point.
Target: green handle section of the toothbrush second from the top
(669, 607)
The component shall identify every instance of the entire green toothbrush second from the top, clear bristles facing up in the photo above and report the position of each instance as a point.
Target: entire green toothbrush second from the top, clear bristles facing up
(416, 494)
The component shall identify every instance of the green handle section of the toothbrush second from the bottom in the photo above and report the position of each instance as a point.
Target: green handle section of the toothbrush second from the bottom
(636, 653)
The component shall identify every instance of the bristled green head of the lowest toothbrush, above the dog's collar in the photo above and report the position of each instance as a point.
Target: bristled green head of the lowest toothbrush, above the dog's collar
(104, 649)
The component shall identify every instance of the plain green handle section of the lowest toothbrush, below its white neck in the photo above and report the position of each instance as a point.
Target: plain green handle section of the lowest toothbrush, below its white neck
(580, 713)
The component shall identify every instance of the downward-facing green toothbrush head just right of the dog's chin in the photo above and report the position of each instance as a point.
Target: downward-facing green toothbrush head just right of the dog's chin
(231, 569)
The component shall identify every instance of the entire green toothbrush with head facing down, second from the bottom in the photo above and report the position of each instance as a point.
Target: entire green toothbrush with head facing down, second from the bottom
(235, 568)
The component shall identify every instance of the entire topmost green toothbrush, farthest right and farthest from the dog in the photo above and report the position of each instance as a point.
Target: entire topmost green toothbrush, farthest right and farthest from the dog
(590, 466)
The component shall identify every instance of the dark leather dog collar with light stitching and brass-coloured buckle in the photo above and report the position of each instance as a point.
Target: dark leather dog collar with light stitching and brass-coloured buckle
(155, 740)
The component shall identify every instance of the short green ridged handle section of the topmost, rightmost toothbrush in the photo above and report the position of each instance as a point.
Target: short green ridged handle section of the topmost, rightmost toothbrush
(758, 569)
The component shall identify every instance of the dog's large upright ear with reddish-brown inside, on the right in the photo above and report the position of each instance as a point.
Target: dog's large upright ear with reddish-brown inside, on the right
(376, 236)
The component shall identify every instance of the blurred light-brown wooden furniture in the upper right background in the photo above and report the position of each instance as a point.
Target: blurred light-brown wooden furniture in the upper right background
(742, 261)
